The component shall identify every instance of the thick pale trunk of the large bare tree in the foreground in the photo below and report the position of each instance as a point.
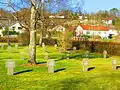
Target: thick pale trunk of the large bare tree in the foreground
(32, 45)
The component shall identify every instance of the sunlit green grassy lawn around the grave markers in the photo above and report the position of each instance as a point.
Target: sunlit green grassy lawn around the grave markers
(68, 72)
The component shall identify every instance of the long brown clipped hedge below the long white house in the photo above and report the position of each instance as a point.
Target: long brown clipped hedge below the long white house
(95, 46)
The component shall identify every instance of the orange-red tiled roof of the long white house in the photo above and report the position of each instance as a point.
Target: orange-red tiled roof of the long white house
(96, 28)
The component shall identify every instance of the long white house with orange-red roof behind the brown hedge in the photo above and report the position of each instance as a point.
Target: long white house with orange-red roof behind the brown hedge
(102, 31)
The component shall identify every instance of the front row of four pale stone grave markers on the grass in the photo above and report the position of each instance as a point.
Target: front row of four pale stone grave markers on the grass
(10, 65)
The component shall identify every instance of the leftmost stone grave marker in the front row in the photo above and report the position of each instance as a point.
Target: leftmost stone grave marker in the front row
(10, 65)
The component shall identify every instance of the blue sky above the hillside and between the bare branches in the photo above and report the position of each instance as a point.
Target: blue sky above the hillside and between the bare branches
(89, 5)
